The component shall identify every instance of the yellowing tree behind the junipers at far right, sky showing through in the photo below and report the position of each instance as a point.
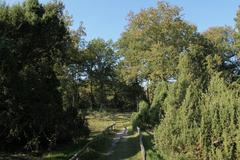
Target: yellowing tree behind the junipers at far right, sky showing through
(225, 57)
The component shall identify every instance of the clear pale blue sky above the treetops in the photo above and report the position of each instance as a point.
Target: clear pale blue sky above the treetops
(107, 19)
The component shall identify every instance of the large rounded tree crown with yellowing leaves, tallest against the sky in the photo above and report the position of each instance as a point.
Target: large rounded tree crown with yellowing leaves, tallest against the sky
(153, 42)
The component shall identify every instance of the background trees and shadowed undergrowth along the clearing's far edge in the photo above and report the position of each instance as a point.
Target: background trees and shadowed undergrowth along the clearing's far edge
(101, 83)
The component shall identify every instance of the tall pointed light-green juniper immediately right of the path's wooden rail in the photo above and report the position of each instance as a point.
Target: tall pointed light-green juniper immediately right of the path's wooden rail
(177, 134)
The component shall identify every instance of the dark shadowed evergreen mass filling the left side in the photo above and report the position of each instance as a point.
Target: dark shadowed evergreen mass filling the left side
(34, 40)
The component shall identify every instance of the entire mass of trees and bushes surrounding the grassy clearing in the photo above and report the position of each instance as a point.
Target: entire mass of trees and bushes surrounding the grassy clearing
(50, 76)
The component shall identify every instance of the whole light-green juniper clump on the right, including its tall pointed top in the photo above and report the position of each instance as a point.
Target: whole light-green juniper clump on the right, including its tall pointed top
(199, 123)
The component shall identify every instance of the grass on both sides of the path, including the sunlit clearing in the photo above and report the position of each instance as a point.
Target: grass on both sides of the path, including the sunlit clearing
(98, 121)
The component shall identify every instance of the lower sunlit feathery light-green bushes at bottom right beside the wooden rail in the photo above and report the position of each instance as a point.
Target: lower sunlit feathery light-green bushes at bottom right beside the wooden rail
(205, 126)
